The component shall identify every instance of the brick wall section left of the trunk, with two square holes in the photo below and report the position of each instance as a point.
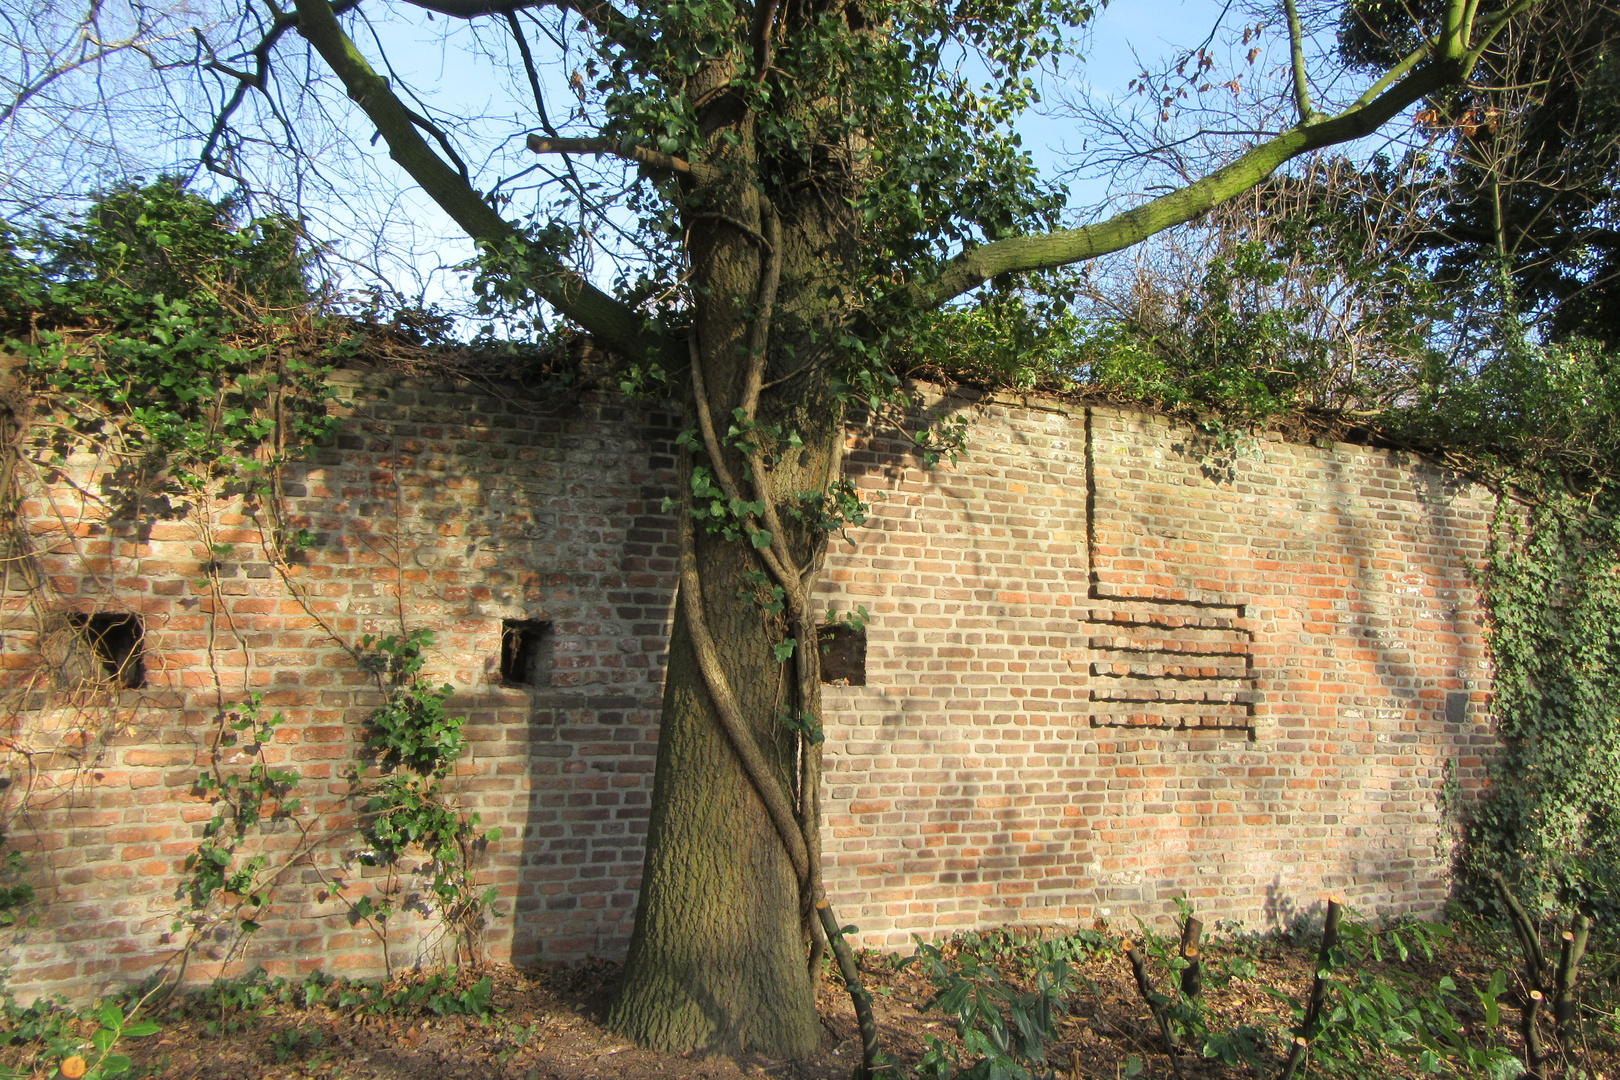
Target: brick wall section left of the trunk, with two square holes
(441, 506)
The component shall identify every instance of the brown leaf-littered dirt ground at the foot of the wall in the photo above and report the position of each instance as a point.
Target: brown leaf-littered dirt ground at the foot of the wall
(548, 1026)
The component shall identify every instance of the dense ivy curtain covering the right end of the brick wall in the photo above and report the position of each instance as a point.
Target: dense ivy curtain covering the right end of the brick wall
(1553, 592)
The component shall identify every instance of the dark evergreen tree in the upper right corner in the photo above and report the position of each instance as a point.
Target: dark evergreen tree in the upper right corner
(1528, 163)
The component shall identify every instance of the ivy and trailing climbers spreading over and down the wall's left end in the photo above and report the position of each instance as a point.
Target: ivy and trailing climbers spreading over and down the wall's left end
(169, 360)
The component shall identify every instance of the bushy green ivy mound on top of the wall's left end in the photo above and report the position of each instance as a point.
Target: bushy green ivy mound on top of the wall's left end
(160, 317)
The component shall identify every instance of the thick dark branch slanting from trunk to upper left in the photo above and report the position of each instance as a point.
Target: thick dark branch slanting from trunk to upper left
(616, 325)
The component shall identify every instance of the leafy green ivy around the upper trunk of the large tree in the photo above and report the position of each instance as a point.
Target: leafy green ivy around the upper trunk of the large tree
(929, 93)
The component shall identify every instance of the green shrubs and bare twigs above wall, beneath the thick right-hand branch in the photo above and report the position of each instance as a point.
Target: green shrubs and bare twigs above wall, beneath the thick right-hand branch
(1284, 300)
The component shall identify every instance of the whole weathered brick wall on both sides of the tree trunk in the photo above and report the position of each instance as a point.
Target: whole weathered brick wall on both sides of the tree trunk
(1106, 666)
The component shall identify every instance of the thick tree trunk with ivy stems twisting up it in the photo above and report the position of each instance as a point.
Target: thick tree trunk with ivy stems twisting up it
(718, 958)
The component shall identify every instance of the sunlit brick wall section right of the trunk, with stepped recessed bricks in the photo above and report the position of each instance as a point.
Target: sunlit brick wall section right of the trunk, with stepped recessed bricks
(1111, 665)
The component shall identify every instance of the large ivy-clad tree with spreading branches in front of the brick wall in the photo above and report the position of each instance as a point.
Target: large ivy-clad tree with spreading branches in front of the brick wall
(814, 182)
